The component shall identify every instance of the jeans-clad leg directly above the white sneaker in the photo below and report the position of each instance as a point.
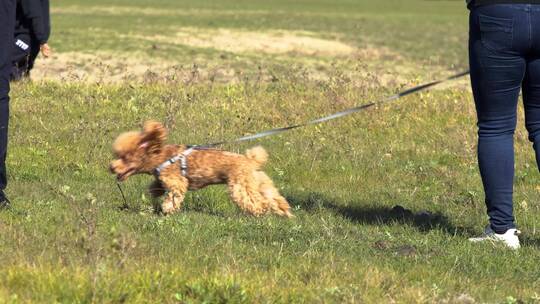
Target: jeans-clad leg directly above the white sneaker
(497, 69)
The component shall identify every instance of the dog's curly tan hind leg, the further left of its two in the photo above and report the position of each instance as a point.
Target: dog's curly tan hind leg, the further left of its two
(244, 191)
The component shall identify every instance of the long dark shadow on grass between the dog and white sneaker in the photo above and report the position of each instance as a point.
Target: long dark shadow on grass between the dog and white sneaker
(370, 214)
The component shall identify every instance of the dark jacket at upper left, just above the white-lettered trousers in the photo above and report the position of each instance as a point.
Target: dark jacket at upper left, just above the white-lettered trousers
(33, 18)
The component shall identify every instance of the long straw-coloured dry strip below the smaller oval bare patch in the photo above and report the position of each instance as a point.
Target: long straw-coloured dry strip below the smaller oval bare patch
(109, 67)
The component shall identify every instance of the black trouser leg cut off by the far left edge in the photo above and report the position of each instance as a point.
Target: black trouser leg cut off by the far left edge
(7, 25)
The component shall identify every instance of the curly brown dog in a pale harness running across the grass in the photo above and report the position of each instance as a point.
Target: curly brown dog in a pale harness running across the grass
(178, 168)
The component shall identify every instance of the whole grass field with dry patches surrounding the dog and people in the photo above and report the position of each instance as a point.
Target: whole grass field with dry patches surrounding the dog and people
(384, 200)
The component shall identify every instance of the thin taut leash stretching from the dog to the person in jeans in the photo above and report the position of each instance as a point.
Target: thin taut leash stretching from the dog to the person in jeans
(337, 115)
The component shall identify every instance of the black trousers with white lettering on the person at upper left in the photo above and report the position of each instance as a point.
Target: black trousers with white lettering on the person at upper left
(25, 51)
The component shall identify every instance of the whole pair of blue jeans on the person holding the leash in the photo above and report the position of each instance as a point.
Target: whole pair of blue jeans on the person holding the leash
(504, 57)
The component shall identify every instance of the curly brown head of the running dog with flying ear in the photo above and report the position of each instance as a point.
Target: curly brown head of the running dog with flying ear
(138, 152)
